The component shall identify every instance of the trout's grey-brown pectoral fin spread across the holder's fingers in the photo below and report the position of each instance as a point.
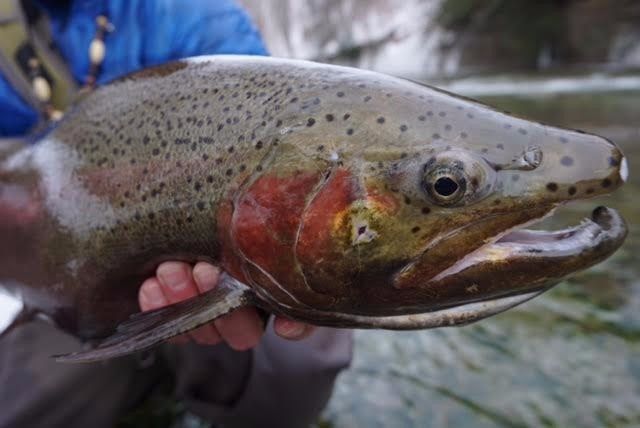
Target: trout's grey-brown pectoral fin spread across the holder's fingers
(147, 329)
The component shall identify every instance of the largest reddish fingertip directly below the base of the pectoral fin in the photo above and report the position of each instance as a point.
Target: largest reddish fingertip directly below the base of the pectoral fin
(241, 329)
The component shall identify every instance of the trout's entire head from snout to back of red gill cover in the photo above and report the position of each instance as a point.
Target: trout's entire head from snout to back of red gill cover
(385, 197)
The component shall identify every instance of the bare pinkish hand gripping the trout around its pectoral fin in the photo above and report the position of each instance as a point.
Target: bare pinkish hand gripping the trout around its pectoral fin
(241, 329)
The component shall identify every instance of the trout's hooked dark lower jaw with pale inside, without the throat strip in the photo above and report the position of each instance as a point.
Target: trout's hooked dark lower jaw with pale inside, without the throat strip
(521, 260)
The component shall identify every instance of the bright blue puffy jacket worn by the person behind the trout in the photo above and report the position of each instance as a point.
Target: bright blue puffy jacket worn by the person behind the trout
(147, 32)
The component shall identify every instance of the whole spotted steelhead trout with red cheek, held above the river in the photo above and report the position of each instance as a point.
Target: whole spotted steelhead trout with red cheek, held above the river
(331, 195)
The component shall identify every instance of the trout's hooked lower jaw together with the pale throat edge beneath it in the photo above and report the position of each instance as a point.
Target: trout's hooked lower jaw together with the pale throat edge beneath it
(512, 268)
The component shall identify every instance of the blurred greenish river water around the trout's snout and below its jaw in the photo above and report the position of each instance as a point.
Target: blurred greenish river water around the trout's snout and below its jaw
(569, 358)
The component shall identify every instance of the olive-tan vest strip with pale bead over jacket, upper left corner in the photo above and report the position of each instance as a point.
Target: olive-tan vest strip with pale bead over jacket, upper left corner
(29, 60)
